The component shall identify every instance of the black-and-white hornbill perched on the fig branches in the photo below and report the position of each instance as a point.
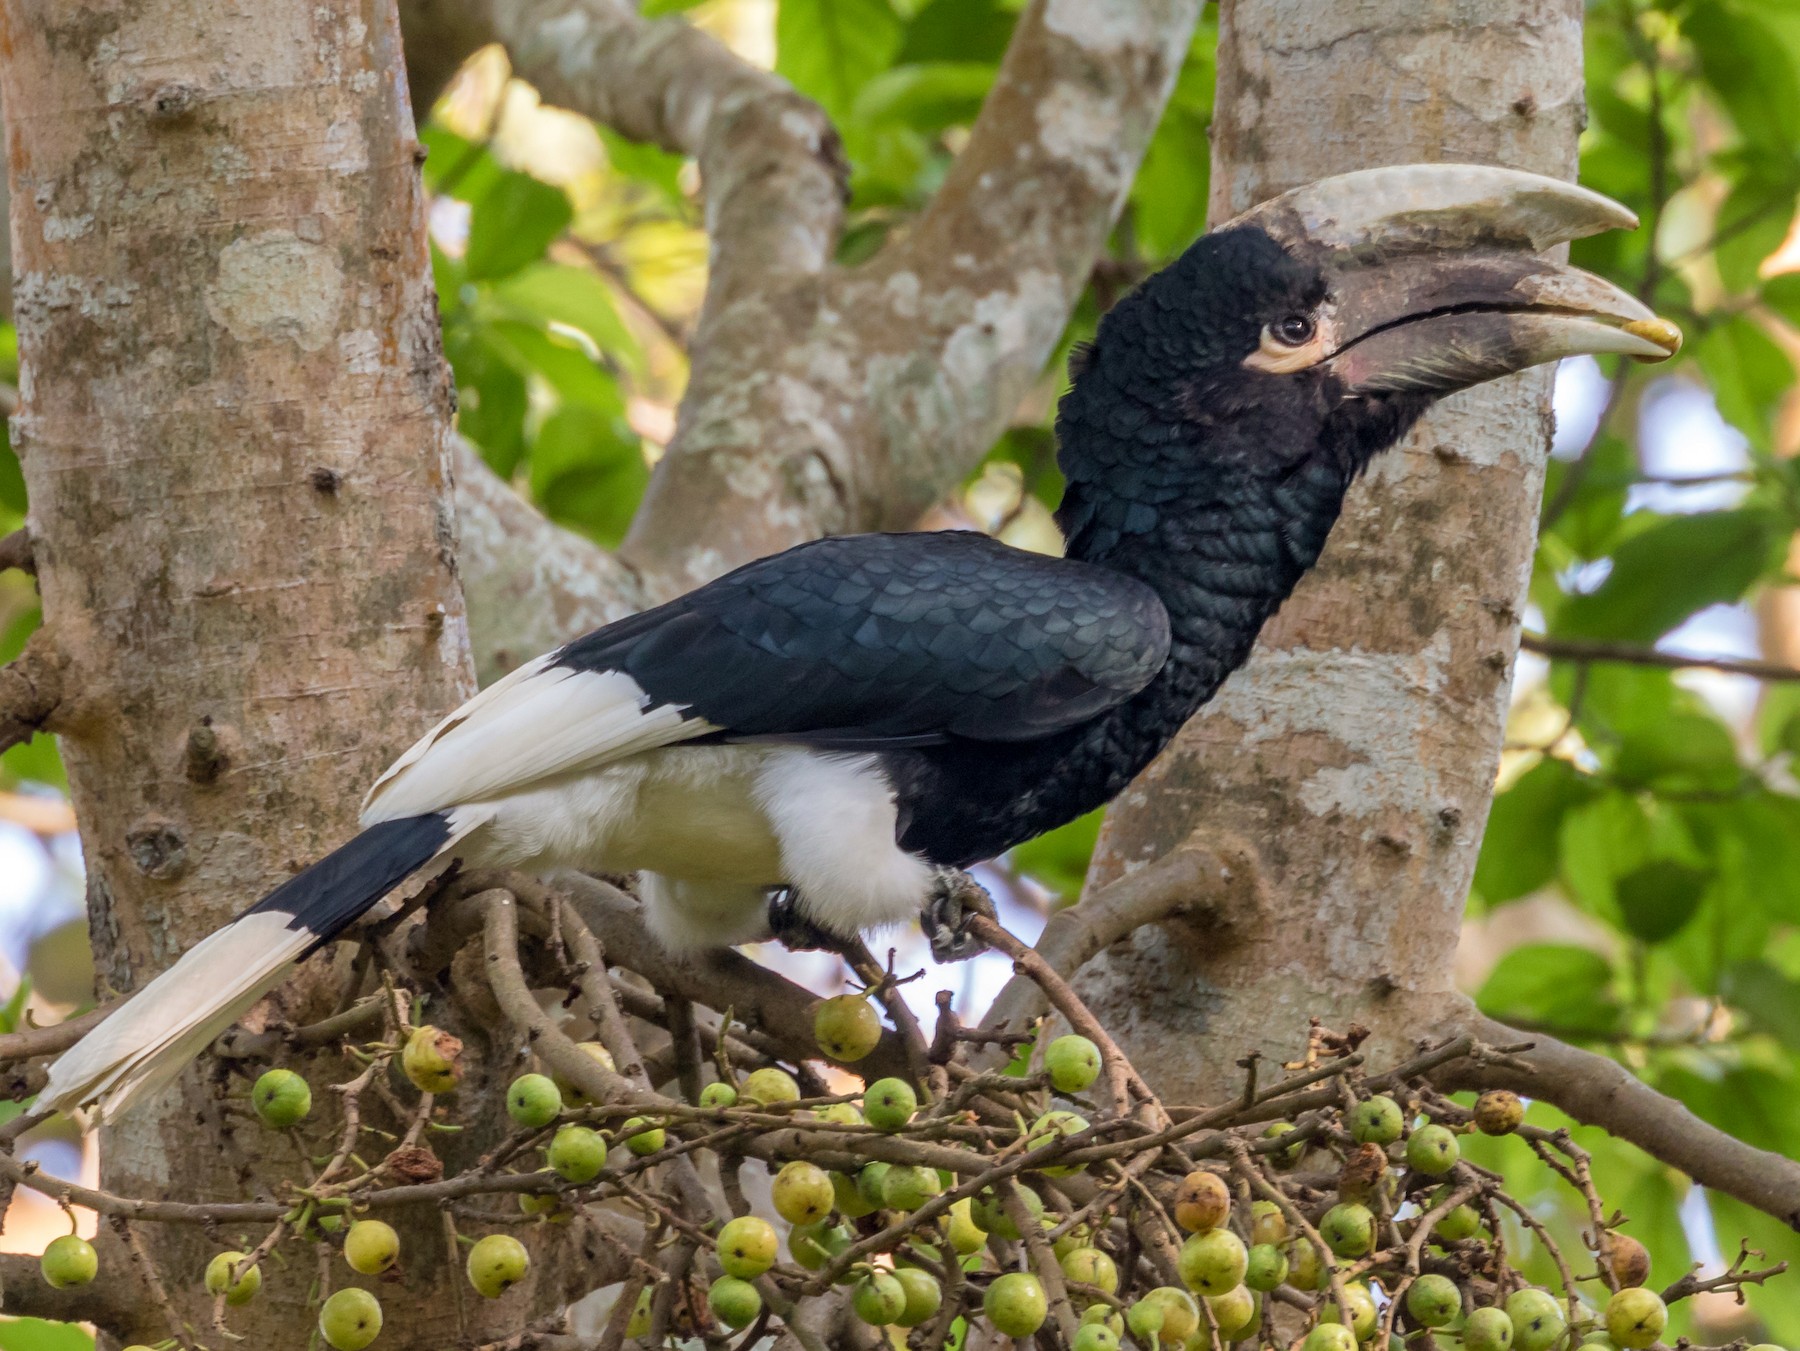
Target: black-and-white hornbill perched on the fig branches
(852, 722)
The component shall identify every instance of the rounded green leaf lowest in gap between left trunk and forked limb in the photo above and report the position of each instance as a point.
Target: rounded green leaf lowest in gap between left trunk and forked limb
(588, 472)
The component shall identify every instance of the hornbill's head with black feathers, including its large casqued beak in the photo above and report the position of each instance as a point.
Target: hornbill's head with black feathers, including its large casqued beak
(1322, 323)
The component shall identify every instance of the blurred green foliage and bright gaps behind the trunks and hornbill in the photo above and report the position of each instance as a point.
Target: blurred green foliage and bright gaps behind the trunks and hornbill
(1641, 882)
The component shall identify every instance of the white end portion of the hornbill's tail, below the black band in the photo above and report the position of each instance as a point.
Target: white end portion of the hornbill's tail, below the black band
(177, 1015)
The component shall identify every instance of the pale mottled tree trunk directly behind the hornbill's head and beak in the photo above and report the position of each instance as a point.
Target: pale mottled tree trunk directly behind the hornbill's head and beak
(1356, 753)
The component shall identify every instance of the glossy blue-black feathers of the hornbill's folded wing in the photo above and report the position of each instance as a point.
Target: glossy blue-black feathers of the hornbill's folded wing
(877, 641)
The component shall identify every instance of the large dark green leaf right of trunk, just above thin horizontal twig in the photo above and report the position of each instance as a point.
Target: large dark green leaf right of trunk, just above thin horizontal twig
(1668, 571)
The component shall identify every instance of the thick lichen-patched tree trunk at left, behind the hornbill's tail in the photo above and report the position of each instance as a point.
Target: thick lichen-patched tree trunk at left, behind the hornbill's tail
(235, 433)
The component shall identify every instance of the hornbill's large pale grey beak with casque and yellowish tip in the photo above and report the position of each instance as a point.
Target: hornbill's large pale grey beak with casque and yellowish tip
(1435, 285)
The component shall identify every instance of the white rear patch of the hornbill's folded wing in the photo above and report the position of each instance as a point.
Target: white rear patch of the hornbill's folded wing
(537, 724)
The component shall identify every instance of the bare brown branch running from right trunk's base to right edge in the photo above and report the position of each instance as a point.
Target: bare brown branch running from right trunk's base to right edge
(1599, 1091)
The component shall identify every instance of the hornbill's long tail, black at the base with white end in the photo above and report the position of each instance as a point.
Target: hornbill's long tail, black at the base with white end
(177, 1015)
